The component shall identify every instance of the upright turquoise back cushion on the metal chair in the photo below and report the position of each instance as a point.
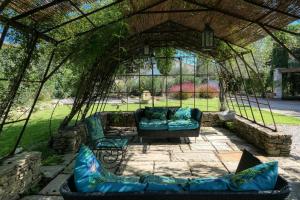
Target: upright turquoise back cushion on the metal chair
(94, 128)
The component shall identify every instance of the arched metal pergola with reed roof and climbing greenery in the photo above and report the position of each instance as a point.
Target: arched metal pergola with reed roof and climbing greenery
(157, 23)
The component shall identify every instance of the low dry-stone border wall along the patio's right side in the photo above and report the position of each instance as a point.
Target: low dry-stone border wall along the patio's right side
(273, 143)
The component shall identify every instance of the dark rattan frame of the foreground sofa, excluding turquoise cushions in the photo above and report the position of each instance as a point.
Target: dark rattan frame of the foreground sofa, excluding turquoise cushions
(281, 190)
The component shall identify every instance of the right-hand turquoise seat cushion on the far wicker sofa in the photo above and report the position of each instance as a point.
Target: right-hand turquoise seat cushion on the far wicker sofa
(181, 124)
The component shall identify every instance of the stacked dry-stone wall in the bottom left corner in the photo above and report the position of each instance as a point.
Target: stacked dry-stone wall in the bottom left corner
(18, 174)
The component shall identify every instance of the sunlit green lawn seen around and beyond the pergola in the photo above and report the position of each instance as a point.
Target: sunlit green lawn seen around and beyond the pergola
(37, 133)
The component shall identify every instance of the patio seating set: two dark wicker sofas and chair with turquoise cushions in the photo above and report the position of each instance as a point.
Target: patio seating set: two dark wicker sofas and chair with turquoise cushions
(92, 180)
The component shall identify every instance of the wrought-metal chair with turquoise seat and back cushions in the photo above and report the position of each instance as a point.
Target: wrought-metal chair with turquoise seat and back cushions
(111, 150)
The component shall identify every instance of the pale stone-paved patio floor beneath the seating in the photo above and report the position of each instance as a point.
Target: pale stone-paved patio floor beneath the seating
(216, 152)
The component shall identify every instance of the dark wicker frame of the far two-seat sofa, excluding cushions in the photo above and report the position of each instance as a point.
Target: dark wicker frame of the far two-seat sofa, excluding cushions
(196, 115)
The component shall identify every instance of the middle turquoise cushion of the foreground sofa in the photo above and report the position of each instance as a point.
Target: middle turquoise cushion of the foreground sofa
(163, 183)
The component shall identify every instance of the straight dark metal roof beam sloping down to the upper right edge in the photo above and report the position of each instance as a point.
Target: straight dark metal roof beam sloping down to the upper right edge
(238, 16)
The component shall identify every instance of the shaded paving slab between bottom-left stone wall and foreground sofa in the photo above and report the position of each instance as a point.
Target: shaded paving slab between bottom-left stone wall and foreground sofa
(53, 187)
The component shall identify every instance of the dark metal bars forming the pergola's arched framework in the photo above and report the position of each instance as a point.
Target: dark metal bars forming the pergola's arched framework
(101, 92)
